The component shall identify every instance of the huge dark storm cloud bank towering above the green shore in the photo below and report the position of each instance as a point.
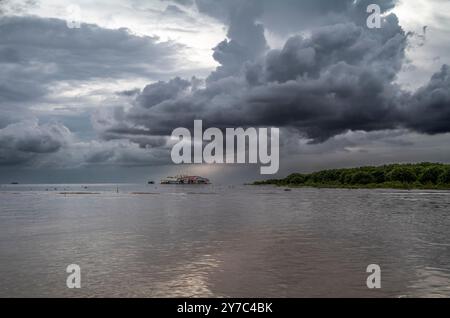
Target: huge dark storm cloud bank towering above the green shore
(323, 82)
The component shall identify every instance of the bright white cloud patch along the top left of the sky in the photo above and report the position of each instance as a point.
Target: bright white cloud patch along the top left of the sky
(198, 32)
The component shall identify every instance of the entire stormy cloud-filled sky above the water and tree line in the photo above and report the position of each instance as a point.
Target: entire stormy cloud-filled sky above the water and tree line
(98, 103)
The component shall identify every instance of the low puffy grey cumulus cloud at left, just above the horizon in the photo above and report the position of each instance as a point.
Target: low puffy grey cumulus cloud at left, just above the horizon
(50, 145)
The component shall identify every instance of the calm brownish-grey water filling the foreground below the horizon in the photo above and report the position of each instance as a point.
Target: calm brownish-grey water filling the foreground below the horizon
(210, 241)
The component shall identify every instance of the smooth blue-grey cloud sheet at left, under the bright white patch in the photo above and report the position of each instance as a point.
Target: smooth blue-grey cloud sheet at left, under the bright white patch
(35, 52)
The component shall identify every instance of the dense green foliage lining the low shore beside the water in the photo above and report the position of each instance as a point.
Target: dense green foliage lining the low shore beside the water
(422, 175)
